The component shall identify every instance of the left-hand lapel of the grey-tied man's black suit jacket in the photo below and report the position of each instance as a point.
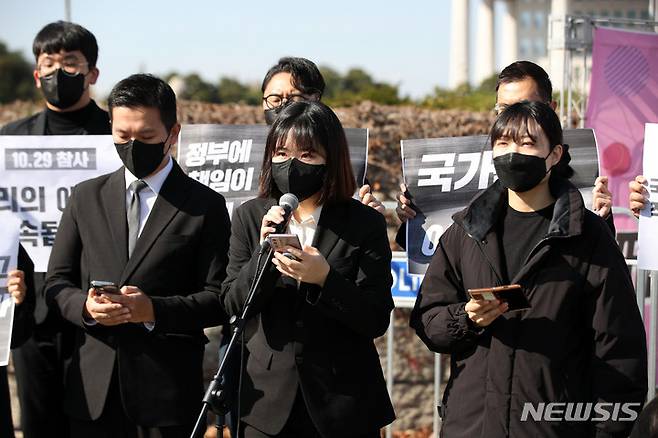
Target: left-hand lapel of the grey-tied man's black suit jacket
(113, 195)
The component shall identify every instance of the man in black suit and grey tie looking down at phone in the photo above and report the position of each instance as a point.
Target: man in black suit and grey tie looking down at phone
(162, 238)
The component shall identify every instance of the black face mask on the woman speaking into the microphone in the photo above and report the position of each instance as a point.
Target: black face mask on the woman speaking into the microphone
(301, 179)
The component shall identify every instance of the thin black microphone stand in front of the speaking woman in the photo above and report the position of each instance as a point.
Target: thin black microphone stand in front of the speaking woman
(215, 397)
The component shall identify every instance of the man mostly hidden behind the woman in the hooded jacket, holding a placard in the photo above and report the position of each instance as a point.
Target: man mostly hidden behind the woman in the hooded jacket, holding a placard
(519, 81)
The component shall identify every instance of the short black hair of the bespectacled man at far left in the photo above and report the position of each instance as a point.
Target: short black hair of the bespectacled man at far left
(63, 35)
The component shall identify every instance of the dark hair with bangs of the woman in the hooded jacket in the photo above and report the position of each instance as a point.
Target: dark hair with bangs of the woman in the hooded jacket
(515, 121)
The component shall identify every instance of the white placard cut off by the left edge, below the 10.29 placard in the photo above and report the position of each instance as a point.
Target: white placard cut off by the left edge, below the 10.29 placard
(8, 262)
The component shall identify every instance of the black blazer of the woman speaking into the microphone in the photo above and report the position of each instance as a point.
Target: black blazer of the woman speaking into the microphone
(320, 340)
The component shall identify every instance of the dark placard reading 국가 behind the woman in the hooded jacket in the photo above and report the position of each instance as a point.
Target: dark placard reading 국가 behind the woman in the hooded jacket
(444, 174)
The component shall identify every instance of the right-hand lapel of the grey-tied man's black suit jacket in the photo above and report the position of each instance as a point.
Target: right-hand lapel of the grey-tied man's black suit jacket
(171, 197)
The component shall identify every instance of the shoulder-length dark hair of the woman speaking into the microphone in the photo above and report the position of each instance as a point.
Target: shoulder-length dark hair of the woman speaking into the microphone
(312, 126)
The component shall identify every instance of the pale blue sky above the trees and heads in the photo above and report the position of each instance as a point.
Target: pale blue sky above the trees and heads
(402, 42)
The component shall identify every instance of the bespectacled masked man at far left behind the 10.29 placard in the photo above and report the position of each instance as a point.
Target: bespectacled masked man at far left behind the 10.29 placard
(65, 55)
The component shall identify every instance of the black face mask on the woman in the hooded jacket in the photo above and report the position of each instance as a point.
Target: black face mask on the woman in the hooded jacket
(520, 172)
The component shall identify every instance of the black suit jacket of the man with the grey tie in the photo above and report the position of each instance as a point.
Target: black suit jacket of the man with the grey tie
(179, 261)
